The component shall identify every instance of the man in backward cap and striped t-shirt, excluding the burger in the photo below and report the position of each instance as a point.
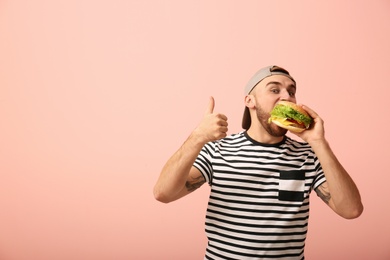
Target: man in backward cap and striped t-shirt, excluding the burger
(260, 179)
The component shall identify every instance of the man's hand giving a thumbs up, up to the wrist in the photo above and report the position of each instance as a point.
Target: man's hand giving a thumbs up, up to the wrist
(213, 126)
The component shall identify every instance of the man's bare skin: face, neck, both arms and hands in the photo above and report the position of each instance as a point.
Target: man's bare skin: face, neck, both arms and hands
(179, 178)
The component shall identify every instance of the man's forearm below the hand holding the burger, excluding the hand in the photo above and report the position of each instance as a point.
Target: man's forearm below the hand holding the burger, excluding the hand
(344, 195)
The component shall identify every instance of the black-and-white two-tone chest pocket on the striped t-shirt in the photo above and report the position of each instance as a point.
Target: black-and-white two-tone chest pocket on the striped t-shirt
(291, 185)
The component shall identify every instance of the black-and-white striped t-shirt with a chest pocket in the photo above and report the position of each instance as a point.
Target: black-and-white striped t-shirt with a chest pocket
(259, 201)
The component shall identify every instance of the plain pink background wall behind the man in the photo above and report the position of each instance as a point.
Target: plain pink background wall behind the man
(96, 95)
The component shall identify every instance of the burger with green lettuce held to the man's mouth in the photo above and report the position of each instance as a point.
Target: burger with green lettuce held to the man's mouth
(290, 116)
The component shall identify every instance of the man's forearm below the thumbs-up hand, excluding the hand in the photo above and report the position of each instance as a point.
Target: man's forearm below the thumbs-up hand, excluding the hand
(175, 172)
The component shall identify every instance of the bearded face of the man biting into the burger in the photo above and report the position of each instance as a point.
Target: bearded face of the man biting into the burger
(266, 94)
